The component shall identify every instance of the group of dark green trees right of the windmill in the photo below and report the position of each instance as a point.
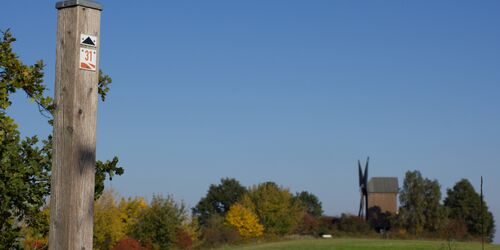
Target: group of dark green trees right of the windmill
(462, 214)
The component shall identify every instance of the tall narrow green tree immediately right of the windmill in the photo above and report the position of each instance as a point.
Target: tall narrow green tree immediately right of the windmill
(412, 199)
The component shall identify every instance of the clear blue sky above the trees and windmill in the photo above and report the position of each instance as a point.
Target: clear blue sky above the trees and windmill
(289, 91)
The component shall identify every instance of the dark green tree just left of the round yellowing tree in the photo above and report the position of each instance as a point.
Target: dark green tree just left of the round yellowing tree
(219, 199)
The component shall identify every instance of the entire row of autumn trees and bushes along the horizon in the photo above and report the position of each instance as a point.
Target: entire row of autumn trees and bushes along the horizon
(230, 213)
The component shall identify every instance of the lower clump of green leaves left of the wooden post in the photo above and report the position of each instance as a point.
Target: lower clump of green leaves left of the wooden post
(24, 183)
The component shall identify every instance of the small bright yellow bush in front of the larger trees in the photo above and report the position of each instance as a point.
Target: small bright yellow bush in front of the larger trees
(244, 221)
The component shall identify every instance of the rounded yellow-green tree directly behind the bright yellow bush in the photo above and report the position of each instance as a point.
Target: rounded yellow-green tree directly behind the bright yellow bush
(274, 206)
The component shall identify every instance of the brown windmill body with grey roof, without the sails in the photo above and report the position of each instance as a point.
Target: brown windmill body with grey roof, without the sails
(383, 192)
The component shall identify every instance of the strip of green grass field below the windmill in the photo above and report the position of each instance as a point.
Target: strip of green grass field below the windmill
(361, 244)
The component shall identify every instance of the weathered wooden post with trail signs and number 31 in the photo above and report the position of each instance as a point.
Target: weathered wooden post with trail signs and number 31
(74, 141)
